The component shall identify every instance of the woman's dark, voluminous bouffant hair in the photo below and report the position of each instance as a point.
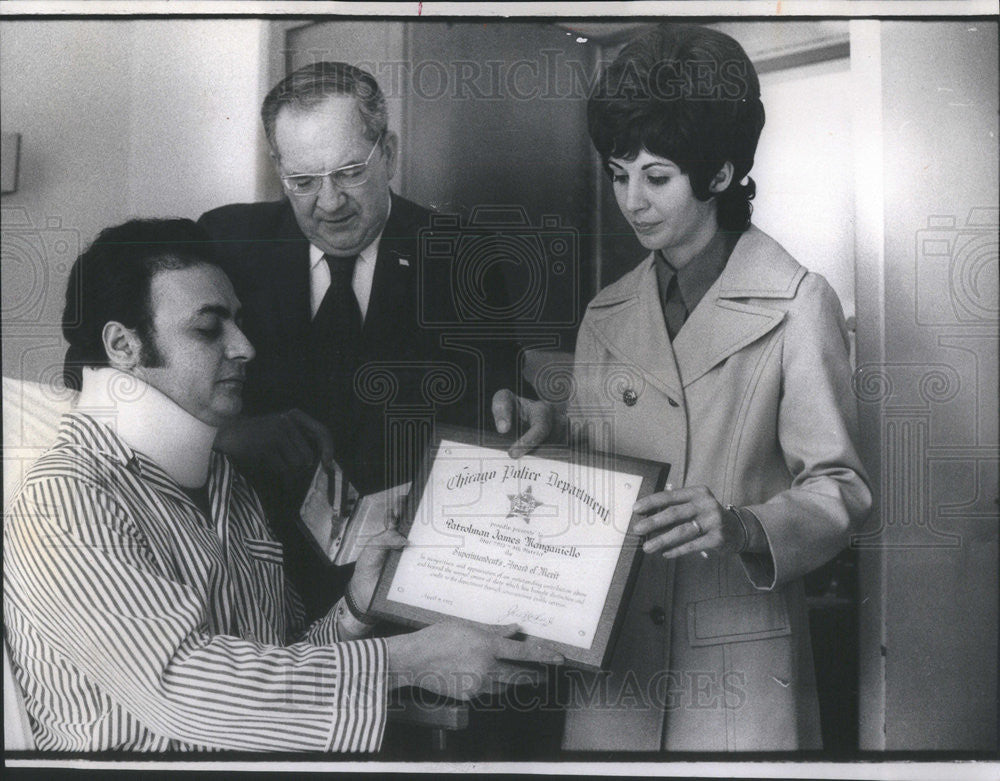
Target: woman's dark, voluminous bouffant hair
(689, 94)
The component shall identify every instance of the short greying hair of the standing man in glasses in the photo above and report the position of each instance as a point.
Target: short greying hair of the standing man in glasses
(312, 84)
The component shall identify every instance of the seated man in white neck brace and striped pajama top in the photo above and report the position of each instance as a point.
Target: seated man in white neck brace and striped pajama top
(144, 599)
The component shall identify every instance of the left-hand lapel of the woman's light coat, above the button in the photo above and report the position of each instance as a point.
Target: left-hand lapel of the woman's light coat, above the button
(628, 321)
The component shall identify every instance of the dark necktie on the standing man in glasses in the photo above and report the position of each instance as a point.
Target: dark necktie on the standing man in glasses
(336, 332)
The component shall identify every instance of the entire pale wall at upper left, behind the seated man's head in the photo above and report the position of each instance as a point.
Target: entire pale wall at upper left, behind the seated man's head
(117, 119)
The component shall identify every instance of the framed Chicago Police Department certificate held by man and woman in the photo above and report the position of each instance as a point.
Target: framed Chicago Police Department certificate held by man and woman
(543, 541)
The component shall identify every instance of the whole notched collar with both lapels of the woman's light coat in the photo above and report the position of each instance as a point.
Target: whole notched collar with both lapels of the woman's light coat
(628, 319)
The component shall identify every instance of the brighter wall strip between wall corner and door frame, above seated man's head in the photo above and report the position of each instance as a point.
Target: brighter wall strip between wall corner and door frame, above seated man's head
(195, 134)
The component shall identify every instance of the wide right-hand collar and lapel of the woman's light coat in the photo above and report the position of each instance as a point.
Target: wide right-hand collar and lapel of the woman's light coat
(724, 322)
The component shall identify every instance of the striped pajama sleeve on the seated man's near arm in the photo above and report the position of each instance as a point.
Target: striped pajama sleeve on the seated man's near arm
(80, 573)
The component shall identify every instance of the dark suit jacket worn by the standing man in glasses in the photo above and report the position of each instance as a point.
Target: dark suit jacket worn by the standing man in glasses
(407, 376)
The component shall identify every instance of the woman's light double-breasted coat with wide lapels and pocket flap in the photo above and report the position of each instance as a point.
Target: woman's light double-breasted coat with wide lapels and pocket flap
(753, 399)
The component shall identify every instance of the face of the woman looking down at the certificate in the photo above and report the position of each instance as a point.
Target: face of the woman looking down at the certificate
(657, 200)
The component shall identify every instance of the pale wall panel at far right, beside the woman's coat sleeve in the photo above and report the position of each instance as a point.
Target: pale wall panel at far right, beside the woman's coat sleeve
(927, 383)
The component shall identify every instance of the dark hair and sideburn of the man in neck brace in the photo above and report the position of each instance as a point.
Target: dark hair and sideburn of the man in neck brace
(111, 281)
